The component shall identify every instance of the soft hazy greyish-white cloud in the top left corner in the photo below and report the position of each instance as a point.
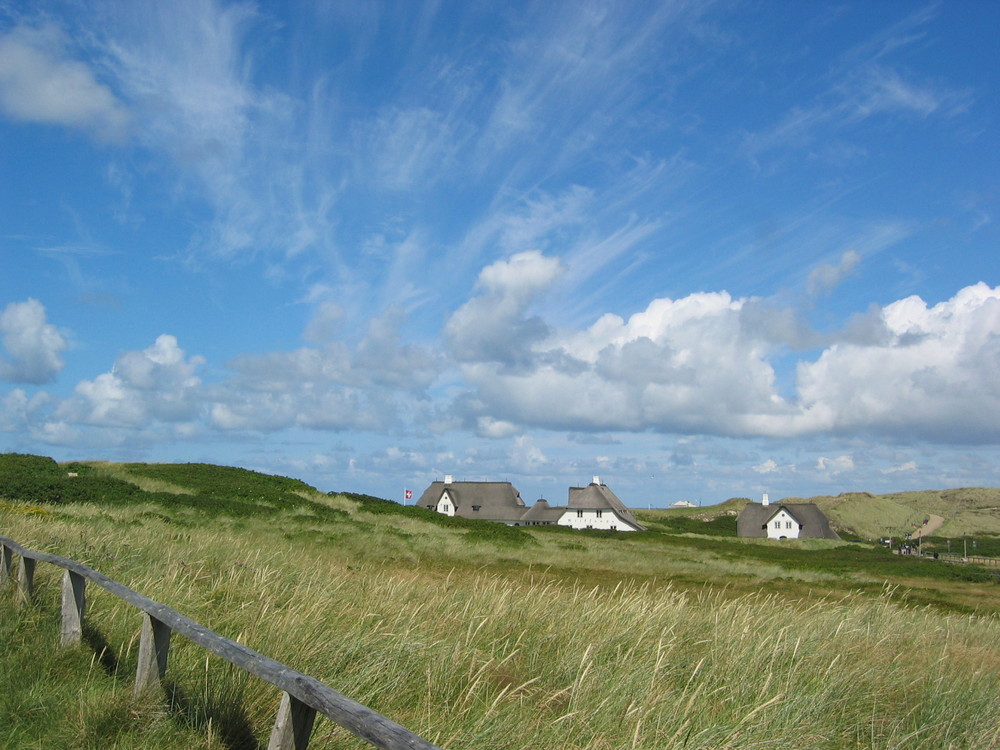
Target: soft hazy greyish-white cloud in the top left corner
(40, 82)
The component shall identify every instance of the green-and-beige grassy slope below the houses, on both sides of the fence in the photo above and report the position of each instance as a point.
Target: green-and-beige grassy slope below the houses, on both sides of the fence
(463, 630)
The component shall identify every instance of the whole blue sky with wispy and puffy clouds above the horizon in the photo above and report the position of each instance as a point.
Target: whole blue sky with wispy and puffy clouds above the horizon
(700, 249)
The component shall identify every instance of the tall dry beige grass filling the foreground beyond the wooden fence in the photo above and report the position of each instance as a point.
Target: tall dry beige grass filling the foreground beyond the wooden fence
(478, 646)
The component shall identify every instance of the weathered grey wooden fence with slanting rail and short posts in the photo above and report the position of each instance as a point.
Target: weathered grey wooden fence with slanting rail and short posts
(303, 696)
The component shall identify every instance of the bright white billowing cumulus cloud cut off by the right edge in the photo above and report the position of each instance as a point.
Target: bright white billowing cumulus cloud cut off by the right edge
(934, 378)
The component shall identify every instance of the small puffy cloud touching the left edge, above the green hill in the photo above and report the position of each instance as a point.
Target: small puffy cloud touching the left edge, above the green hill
(33, 346)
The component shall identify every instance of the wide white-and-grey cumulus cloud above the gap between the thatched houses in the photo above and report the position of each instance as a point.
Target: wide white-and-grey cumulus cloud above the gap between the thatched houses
(680, 365)
